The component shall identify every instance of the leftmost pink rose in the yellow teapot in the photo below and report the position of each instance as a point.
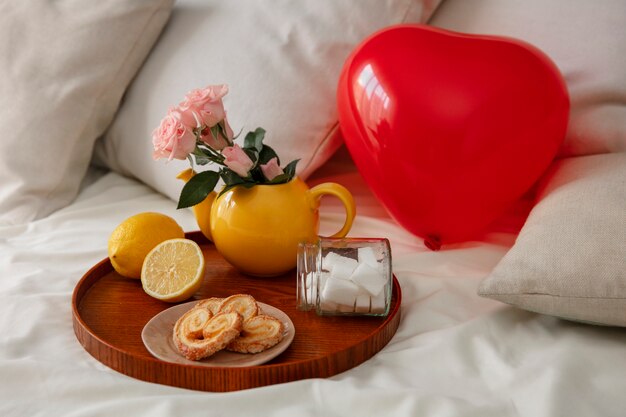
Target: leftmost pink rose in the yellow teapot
(172, 139)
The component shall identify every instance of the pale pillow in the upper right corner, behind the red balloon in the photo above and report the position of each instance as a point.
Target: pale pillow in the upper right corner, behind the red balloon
(587, 41)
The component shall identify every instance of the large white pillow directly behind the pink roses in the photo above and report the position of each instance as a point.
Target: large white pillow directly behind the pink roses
(281, 61)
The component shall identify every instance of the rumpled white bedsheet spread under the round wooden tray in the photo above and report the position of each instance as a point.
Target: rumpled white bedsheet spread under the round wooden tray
(454, 354)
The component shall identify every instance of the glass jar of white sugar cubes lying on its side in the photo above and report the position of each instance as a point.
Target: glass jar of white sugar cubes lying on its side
(348, 276)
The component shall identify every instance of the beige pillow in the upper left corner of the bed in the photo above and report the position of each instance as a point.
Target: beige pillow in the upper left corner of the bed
(64, 66)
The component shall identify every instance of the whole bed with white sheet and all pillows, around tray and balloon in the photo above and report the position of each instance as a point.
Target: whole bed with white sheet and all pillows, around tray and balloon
(526, 321)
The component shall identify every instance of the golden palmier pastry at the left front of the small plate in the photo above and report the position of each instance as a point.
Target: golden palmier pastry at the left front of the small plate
(198, 334)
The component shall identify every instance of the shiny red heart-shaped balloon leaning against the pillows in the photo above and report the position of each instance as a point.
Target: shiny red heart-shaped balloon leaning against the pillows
(450, 129)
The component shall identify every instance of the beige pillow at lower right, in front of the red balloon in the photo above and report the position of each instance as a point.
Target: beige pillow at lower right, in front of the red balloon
(569, 259)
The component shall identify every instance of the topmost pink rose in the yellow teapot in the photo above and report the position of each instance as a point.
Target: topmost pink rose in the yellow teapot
(203, 107)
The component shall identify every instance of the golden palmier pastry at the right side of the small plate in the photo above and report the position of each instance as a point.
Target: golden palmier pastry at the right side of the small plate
(259, 333)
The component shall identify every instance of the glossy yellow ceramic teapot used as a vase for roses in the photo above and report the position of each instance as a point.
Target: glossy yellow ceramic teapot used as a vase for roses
(258, 229)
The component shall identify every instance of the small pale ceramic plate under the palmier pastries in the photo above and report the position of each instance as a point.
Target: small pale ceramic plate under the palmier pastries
(157, 337)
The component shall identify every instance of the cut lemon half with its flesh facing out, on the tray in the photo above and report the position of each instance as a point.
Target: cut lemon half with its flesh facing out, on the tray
(173, 271)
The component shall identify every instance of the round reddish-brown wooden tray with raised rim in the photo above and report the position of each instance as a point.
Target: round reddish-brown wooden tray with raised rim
(109, 313)
